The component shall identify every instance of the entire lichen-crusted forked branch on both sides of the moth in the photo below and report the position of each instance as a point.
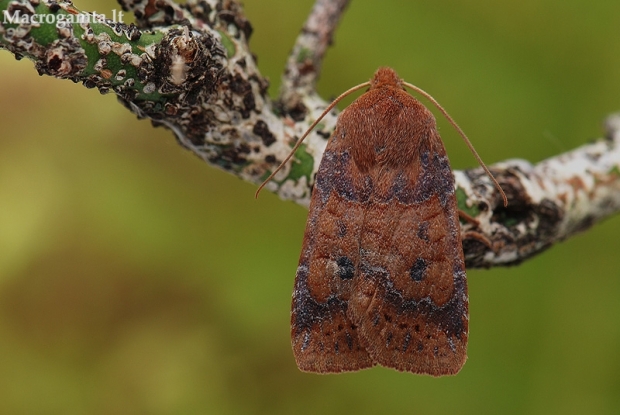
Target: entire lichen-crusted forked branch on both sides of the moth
(189, 68)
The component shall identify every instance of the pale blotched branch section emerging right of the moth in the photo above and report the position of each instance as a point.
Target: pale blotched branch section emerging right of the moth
(547, 202)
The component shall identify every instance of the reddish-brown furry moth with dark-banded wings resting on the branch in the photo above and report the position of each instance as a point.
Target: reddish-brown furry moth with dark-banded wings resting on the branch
(381, 277)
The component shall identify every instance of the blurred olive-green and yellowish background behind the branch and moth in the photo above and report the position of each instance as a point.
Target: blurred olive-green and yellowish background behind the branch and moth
(135, 279)
